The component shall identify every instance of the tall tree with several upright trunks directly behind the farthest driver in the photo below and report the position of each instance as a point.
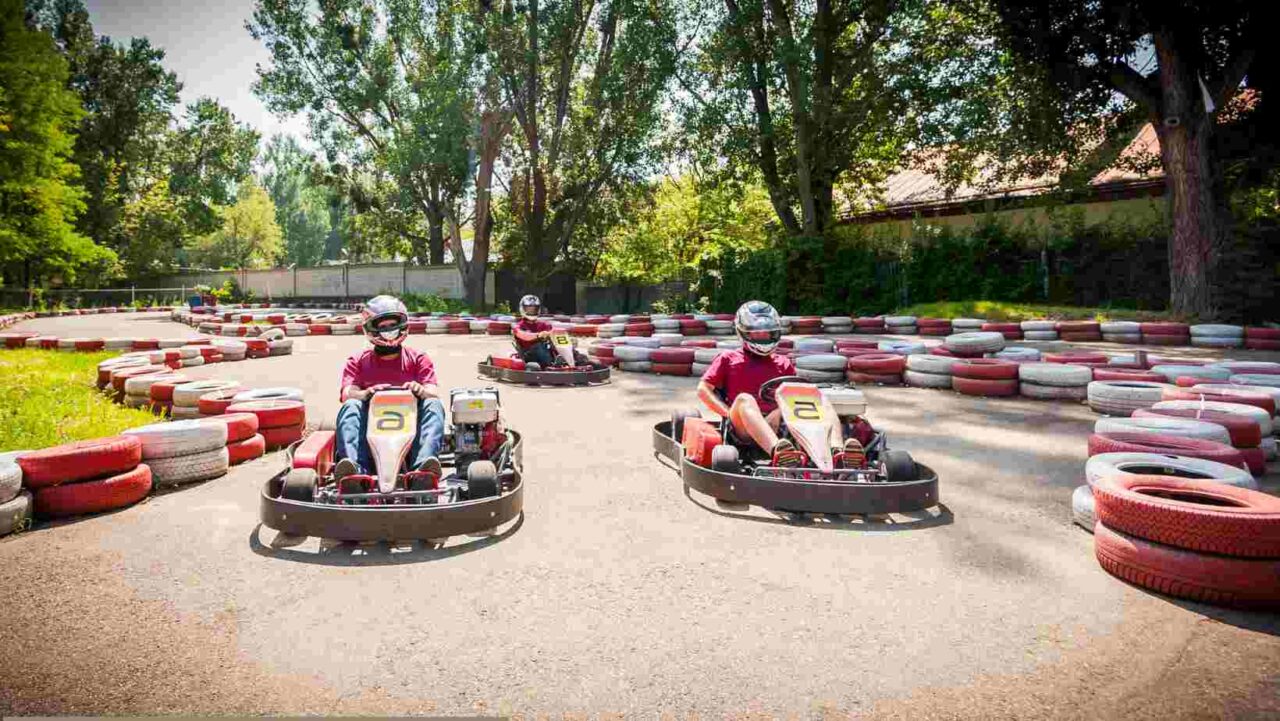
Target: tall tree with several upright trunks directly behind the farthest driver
(586, 81)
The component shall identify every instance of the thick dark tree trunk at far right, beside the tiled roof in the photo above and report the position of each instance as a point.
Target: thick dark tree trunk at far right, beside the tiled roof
(1197, 230)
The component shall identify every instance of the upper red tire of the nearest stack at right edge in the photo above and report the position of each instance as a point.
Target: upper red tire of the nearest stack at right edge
(1196, 515)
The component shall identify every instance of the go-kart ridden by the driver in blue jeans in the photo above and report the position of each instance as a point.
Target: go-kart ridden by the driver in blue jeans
(479, 491)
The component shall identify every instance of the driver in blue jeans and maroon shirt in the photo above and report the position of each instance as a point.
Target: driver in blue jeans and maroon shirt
(390, 363)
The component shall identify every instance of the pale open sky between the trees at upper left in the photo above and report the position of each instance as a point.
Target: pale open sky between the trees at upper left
(207, 45)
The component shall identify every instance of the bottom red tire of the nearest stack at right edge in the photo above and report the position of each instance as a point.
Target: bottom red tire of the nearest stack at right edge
(1200, 577)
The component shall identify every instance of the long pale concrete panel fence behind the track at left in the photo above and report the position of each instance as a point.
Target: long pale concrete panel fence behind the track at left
(339, 281)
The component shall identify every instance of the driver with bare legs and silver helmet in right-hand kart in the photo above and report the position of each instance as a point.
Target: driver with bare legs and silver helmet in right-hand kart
(738, 377)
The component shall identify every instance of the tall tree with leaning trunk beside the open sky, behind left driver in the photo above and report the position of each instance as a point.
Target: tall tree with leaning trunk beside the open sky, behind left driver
(391, 85)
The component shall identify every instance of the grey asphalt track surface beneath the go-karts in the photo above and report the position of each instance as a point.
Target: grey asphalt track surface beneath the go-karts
(618, 595)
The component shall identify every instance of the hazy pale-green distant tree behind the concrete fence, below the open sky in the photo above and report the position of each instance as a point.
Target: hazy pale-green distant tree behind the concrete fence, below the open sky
(301, 204)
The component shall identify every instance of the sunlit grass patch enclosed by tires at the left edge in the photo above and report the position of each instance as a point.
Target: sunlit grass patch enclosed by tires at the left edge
(48, 398)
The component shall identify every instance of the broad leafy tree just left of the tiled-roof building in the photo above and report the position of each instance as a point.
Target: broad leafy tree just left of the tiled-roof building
(813, 99)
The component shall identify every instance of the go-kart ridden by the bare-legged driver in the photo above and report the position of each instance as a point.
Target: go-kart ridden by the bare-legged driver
(714, 460)
